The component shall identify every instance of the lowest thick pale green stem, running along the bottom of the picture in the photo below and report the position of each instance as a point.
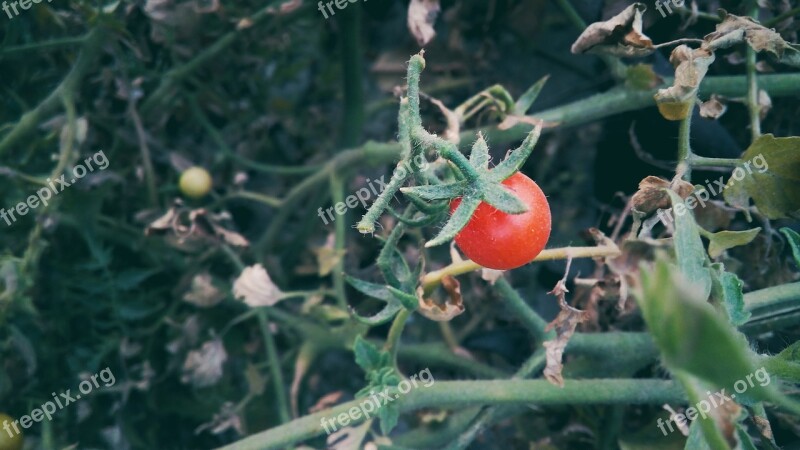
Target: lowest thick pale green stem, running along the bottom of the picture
(463, 394)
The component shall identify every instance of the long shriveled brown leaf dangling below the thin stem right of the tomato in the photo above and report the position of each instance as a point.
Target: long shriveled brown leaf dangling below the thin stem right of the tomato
(565, 323)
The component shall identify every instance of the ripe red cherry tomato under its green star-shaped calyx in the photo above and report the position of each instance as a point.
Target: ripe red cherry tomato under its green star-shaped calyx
(501, 241)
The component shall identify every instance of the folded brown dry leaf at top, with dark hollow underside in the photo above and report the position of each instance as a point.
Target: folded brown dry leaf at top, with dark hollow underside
(619, 36)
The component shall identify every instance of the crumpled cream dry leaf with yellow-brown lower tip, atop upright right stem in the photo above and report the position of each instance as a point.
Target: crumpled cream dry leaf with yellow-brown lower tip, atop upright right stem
(676, 102)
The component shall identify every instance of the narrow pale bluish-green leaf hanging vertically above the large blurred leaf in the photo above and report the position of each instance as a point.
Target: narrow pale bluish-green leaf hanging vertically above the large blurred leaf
(689, 249)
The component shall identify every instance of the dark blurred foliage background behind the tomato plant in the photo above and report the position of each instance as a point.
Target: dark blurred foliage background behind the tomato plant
(161, 85)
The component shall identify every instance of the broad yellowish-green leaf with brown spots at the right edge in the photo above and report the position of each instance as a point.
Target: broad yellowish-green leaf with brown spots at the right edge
(773, 181)
